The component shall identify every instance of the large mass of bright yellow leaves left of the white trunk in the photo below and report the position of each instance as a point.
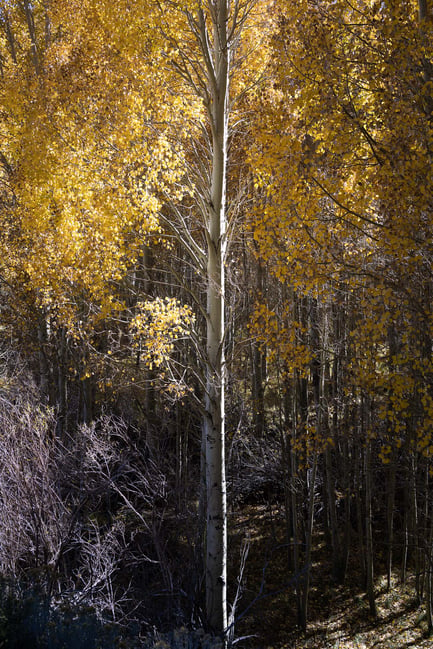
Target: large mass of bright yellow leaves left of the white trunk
(89, 141)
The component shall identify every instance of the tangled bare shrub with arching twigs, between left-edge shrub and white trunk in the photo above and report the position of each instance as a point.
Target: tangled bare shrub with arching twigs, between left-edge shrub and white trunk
(120, 492)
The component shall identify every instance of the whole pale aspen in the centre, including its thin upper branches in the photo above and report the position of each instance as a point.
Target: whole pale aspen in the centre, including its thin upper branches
(215, 54)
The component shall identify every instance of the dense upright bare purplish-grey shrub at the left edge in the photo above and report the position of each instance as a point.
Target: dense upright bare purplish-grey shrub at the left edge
(33, 518)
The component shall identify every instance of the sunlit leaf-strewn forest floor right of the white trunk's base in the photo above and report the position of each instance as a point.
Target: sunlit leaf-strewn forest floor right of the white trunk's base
(338, 615)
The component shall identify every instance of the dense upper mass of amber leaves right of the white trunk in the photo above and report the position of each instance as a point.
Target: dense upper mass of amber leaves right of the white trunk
(343, 148)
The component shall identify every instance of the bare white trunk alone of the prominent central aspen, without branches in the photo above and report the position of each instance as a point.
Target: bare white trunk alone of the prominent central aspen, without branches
(216, 528)
